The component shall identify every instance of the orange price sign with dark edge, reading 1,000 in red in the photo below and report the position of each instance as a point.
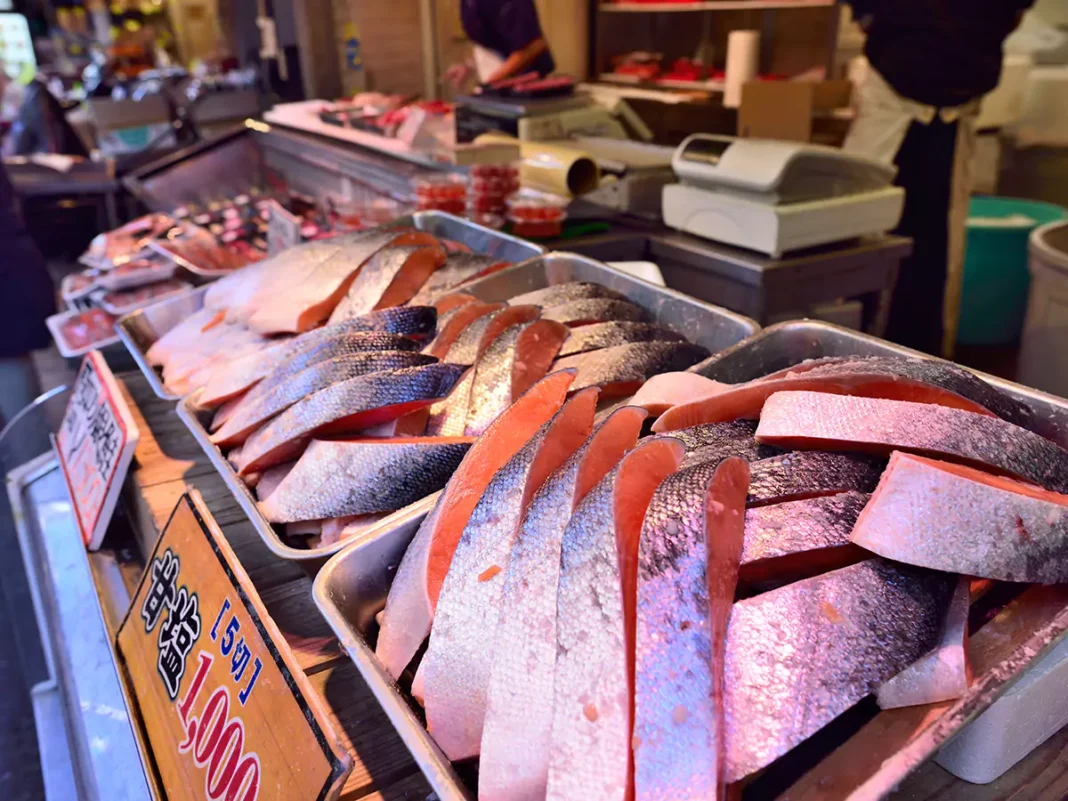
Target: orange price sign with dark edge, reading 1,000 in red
(226, 709)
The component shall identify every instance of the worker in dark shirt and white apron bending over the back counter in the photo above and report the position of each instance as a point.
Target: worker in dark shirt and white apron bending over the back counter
(508, 41)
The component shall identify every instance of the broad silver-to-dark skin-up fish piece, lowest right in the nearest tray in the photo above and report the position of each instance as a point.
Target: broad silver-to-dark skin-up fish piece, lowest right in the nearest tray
(800, 656)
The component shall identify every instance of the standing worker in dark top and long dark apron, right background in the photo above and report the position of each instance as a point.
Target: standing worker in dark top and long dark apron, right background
(930, 64)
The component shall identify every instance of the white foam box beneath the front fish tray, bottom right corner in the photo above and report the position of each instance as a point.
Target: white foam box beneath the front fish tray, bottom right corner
(1033, 711)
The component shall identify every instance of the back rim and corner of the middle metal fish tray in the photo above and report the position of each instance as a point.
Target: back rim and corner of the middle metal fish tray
(712, 326)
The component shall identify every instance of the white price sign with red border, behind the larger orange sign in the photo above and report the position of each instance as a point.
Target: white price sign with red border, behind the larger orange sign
(96, 445)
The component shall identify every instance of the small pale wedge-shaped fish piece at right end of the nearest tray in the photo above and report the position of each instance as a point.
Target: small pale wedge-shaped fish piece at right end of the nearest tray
(941, 674)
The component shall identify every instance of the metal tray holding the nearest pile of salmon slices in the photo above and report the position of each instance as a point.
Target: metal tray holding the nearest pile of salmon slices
(352, 589)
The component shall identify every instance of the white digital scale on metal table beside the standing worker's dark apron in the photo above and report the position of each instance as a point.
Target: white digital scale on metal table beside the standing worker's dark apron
(775, 197)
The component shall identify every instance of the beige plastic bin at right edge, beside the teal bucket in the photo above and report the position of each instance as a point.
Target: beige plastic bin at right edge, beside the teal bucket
(1044, 358)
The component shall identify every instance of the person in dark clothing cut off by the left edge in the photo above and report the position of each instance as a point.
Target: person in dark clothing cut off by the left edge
(27, 296)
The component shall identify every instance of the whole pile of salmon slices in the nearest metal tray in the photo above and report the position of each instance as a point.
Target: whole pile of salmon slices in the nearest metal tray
(612, 617)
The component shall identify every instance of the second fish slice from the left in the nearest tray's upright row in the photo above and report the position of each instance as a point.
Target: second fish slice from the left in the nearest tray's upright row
(459, 659)
